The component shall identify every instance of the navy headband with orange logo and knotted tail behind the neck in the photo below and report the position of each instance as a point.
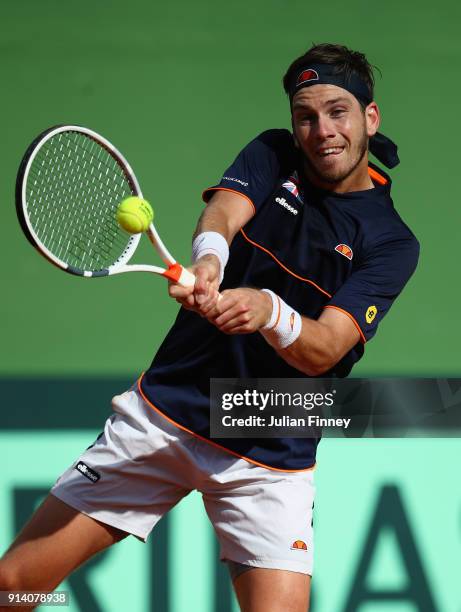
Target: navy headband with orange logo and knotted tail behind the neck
(382, 147)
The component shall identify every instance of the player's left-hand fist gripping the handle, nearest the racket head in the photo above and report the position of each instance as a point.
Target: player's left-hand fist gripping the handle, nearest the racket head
(203, 296)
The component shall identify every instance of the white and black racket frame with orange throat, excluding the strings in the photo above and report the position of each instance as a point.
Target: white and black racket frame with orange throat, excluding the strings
(174, 271)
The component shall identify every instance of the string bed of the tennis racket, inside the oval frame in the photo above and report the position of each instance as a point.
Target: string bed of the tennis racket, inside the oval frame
(73, 190)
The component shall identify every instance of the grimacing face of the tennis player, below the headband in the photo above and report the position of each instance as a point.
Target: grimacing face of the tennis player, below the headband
(332, 132)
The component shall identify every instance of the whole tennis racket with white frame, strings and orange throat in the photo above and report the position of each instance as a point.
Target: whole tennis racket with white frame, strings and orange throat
(69, 185)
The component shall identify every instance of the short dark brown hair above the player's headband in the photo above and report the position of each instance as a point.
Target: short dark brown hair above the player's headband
(345, 60)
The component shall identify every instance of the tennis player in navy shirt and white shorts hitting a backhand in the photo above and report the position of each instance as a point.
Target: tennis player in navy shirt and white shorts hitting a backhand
(309, 253)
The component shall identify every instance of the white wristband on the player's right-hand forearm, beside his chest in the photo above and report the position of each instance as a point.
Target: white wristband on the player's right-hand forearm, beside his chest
(284, 325)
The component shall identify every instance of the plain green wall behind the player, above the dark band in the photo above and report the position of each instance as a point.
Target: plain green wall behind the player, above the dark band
(179, 88)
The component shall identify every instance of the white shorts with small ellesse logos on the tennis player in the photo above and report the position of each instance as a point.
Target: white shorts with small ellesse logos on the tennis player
(142, 465)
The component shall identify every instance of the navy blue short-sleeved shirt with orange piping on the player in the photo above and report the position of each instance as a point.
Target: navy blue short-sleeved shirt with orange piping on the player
(314, 248)
